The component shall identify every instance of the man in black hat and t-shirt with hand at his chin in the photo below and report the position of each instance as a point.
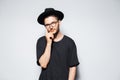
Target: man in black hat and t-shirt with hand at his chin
(56, 52)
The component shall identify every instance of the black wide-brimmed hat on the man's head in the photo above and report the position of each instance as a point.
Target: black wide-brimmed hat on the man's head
(49, 12)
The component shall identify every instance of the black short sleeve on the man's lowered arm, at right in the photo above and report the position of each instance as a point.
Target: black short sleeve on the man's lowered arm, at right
(73, 58)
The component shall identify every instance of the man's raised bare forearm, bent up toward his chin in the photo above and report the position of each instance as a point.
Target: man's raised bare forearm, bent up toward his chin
(44, 59)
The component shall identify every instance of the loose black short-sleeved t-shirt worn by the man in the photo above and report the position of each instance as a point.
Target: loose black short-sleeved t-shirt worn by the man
(63, 56)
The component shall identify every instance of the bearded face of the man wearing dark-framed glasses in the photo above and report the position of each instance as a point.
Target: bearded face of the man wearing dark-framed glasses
(52, 24)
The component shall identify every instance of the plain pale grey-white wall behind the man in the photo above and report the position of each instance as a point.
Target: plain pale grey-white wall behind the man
(93, 24)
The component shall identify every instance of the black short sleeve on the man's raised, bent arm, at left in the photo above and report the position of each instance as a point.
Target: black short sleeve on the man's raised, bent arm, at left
(40, 47)
